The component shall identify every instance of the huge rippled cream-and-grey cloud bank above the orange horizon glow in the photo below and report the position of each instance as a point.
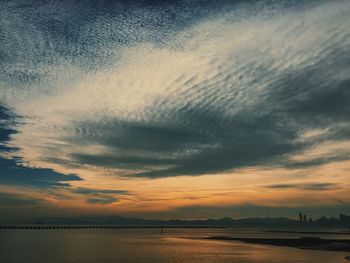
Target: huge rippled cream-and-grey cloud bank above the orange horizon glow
(219, 93)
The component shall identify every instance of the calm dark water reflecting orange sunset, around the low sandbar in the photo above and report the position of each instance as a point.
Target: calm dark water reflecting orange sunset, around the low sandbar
(173, 246)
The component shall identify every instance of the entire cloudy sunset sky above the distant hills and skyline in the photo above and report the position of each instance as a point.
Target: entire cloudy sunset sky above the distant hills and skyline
(185, 109)
